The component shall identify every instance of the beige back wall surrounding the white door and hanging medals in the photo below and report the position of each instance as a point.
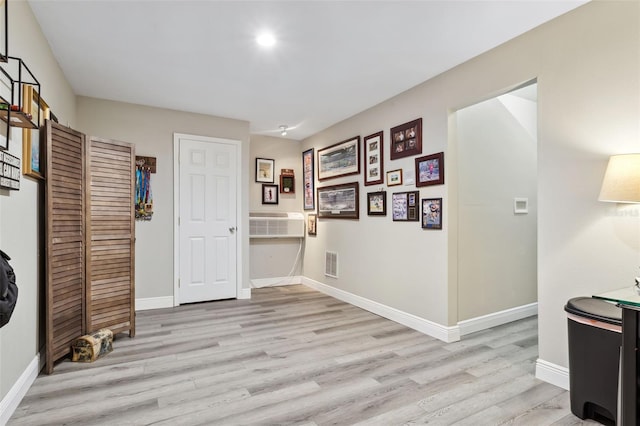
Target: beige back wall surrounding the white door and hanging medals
(151, 130)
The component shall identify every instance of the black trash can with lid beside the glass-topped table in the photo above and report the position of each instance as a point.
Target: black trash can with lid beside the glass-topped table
(595, 337)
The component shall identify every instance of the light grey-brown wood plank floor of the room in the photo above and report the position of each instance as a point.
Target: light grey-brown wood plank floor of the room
(292, 355)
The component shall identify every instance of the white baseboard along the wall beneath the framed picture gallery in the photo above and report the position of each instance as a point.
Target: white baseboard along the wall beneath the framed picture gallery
(441, 332)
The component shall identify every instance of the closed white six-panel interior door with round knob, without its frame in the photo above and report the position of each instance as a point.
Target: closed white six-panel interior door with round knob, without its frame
(207, 220)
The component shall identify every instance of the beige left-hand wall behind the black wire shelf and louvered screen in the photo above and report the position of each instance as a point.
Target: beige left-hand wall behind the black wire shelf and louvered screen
(19, 209)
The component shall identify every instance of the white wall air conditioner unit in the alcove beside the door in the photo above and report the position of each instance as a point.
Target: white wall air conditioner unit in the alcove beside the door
(276, 225)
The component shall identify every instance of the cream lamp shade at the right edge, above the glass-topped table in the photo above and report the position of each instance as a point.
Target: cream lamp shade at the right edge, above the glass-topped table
(621, 183)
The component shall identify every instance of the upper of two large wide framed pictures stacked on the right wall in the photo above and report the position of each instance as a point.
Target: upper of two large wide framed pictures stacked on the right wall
(341, 159)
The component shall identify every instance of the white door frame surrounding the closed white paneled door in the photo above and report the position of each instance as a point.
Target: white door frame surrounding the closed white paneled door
(176, 208)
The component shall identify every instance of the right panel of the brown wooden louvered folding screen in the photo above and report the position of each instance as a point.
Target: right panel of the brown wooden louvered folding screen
(110, 236)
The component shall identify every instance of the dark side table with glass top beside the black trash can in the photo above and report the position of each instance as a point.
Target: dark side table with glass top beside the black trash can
(628, 299)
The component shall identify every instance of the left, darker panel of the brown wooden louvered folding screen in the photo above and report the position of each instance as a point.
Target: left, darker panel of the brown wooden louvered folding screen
(65, 240)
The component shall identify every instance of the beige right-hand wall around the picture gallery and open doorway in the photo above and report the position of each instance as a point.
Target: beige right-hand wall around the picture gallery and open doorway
(588, 69)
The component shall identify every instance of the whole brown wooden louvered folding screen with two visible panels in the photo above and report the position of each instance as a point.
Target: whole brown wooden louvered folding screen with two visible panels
(90, 236)
